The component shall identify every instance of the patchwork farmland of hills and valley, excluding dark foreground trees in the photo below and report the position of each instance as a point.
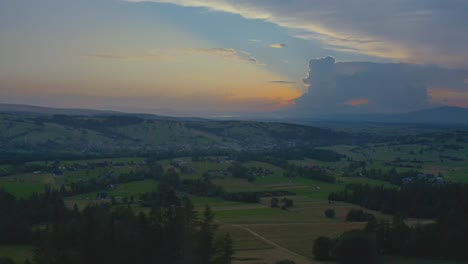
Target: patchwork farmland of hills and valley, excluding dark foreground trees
(261, 233)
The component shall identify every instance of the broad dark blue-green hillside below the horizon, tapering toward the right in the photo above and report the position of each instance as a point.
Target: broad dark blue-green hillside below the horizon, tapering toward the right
(116, 133)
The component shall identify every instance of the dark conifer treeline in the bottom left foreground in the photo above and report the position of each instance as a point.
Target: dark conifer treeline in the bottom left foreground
(170, 233)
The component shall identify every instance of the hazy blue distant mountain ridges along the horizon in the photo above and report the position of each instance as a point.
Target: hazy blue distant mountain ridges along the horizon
(439, 115)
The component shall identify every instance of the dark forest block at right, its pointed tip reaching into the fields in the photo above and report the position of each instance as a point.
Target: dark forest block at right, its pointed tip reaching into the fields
(447, 204)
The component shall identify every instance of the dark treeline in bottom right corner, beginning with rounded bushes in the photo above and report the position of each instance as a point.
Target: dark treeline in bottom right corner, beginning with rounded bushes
(442, 240)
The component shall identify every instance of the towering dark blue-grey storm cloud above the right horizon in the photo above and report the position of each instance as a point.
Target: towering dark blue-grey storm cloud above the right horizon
(376, 87)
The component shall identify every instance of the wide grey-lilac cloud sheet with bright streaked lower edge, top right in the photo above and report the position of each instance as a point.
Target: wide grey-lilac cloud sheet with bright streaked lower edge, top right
(416, 31)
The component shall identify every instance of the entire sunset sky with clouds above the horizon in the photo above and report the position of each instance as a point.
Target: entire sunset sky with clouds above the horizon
(235, 57)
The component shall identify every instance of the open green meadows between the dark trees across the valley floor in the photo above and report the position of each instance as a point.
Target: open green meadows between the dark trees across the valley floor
(261, 234)
